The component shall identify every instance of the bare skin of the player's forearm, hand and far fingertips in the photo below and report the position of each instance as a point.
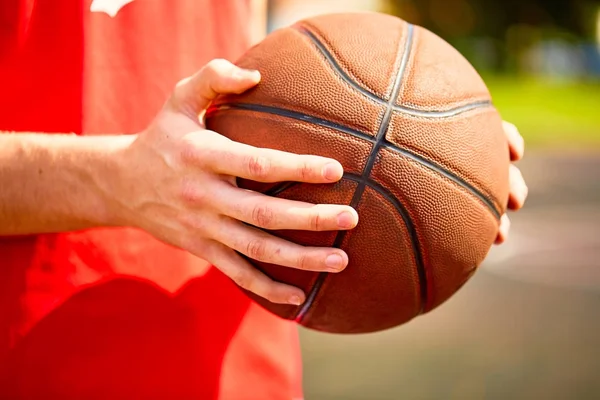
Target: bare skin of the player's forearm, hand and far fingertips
(177, 181)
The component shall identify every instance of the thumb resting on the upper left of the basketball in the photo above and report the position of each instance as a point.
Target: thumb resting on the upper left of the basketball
(195, 93)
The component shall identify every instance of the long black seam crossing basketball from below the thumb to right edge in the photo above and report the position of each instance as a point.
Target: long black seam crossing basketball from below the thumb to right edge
(487, 201)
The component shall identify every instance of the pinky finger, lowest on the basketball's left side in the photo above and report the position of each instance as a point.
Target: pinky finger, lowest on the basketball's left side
(249, 278)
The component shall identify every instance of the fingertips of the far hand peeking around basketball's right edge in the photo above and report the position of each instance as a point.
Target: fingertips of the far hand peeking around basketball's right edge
(518, 189)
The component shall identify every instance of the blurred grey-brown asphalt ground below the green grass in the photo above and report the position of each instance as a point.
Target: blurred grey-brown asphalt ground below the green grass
(527, 326)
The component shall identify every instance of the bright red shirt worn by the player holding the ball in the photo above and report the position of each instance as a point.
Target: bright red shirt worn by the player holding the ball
(113, 313)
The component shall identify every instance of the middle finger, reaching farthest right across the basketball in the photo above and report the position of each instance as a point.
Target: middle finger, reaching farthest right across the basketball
(276, 214)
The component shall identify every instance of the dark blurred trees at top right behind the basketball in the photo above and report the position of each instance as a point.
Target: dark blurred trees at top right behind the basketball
(498, 34)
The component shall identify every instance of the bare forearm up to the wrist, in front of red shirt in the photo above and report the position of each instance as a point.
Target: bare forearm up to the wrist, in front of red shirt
(55, 183)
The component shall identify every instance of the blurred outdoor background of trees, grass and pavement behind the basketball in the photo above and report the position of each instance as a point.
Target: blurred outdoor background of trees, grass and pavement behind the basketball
(527, 326)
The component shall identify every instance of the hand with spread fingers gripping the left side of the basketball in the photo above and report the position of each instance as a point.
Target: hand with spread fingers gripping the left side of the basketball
(185, 191)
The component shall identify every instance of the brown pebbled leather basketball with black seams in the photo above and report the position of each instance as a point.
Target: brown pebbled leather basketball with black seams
(424, 154)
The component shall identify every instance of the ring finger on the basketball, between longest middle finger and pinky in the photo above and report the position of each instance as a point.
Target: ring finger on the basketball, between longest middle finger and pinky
(261, 246)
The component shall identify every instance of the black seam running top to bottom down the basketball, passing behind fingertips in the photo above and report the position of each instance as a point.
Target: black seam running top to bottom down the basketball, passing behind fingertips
(358, 192)
